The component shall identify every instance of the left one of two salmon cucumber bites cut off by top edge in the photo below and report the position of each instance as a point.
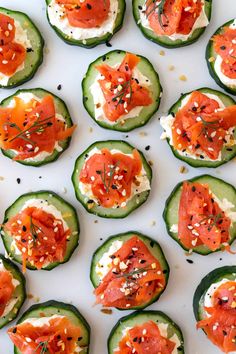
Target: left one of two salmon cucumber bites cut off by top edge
(86, 23)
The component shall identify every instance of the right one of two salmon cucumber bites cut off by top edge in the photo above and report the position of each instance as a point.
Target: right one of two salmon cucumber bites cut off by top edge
(172, 23)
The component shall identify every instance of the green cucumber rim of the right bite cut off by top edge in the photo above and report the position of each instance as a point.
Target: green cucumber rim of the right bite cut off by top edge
(165, 41)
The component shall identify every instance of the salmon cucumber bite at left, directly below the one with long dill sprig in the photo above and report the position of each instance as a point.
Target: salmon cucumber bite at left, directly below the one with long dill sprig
(40, 230)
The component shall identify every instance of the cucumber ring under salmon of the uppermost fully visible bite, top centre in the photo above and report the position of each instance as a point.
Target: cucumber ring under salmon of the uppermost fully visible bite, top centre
(146, 68)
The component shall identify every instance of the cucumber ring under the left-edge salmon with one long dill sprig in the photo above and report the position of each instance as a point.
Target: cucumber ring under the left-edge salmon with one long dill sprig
(61, 109)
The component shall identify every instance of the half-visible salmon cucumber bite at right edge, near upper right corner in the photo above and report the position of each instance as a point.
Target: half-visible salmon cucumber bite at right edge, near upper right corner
(221, 56)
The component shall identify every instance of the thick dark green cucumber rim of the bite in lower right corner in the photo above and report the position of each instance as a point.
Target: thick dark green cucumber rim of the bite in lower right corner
(228, 272)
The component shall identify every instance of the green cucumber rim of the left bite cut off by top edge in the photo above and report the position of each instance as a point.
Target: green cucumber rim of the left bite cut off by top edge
(93, 41)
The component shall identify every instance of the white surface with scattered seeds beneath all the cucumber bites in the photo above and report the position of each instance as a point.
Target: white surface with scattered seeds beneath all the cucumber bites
(66, 65)
